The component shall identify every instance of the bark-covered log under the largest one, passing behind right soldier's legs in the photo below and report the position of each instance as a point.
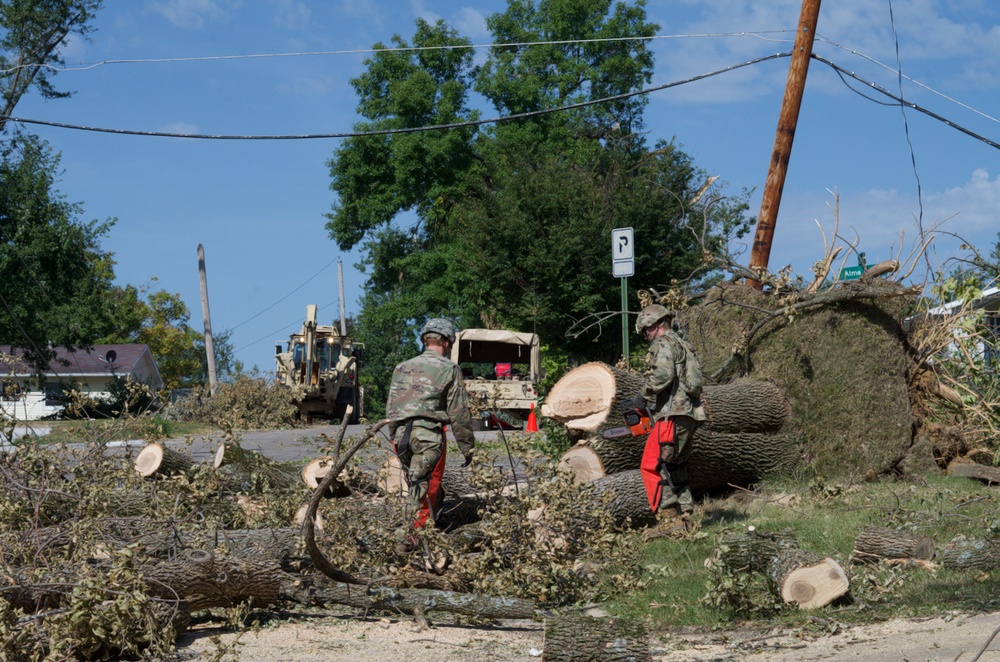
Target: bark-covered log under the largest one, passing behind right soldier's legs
(717, 459)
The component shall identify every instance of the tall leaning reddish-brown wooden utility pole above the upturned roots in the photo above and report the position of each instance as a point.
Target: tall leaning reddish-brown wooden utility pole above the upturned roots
(797, 70)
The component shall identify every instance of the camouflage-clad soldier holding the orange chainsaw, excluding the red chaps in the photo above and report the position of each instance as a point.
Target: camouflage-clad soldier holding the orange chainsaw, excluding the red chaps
(672, 368)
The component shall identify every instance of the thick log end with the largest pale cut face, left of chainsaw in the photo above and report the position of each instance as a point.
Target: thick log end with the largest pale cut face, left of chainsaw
(589, 397)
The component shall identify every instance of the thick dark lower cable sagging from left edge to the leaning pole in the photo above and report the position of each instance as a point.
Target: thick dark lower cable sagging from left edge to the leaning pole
(389, 132)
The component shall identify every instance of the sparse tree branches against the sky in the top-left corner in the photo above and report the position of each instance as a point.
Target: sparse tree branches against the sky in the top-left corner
(31, 32)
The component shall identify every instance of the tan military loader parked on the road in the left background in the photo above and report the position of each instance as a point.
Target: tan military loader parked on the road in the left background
(320, 364)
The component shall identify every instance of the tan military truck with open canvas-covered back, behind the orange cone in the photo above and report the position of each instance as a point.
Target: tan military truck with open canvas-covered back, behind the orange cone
(501, 370)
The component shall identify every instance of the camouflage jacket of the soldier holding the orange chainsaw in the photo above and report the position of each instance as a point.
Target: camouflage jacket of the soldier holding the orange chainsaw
(667, 360)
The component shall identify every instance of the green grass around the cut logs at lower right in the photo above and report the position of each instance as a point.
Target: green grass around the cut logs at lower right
(825, 519)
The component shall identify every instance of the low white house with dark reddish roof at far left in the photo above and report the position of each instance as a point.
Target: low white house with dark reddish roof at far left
(25, 397)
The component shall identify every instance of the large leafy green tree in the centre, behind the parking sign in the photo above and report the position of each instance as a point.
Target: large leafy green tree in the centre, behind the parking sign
(510, 226)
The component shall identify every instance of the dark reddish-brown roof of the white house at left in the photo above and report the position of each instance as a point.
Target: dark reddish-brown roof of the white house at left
(93, 361)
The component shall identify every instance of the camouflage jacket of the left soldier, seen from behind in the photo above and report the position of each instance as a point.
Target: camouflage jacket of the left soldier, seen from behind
(428, 388)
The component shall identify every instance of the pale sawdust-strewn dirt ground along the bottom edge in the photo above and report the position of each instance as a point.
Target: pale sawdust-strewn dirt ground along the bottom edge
(955, 638)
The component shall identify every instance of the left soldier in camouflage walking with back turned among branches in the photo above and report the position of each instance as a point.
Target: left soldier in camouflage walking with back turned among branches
(425, 394)
